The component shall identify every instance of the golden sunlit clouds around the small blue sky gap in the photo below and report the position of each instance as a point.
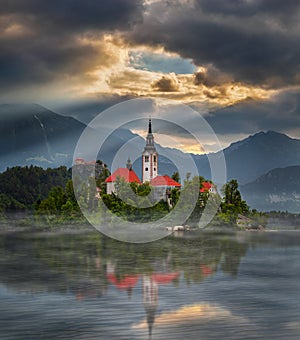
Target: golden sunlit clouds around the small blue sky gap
(117, 74)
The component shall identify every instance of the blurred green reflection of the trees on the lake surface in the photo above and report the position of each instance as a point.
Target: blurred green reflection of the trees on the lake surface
(78, 262)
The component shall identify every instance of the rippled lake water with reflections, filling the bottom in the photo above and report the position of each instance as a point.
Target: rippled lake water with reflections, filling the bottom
(81, 285)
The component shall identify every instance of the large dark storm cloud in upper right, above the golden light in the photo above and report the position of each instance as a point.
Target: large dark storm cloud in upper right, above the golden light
(255, 41)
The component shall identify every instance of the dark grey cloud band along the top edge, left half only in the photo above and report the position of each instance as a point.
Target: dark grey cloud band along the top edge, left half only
(75, 15)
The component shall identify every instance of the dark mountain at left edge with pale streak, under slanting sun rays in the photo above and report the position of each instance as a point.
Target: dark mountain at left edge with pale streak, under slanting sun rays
(32, 134)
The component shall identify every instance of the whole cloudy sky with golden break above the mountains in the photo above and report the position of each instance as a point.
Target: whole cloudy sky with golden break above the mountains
(240, 59)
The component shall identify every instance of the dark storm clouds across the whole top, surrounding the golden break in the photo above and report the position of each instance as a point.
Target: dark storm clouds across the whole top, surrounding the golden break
(253, 41)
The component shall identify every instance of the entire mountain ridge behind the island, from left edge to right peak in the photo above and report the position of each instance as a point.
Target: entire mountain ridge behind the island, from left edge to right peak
(32, 134)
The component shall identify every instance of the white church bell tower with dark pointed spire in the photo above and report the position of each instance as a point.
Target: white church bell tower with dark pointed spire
(149, 157)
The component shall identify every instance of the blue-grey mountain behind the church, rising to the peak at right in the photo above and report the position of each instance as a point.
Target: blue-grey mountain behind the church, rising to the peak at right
(246, 160)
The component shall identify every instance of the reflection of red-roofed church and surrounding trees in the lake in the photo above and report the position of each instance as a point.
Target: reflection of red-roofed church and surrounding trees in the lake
(86, 266)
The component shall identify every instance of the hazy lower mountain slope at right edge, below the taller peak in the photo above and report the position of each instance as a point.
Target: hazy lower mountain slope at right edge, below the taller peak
(278, 189)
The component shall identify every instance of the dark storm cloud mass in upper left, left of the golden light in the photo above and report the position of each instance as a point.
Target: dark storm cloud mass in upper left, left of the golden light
(47, 45)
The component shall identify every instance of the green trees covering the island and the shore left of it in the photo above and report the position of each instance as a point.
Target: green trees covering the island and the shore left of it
(52, 194)
